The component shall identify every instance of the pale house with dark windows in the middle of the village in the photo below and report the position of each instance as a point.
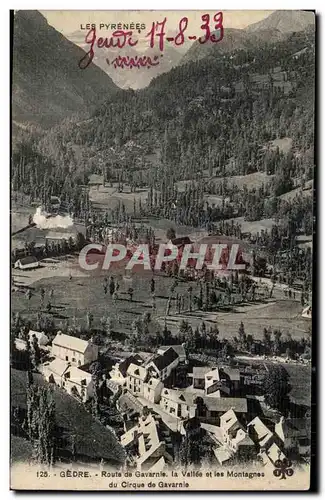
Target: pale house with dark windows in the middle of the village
(178, 403)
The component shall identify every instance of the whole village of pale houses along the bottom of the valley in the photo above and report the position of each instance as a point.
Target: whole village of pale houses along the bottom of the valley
(168, 410)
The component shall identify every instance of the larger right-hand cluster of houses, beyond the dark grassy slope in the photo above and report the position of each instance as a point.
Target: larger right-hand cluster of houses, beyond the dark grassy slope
(157, 413)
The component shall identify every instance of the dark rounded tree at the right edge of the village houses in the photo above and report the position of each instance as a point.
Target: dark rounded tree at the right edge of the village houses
(276, 387)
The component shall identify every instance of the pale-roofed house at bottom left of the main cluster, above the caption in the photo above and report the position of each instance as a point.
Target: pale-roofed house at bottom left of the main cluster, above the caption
(149, 443)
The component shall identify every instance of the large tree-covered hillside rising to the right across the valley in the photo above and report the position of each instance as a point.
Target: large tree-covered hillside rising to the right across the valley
(203, 121)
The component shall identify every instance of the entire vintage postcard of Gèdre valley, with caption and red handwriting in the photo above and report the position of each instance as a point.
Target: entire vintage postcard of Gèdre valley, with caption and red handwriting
(162, 229)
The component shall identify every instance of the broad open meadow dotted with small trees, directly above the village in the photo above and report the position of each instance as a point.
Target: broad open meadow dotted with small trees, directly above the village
(73, 298)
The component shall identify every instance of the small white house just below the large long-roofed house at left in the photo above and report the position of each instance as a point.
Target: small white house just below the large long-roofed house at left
(78, 383)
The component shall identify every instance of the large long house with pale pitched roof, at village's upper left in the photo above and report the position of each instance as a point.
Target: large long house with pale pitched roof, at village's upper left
(76, 351)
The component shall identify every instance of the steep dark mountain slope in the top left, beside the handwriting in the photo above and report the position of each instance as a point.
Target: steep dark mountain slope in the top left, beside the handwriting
(47, 84)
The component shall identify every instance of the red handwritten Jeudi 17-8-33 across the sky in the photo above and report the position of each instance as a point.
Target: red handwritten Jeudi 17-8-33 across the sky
(212, 31)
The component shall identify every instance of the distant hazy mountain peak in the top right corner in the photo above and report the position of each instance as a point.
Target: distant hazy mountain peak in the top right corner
(285, 21)
